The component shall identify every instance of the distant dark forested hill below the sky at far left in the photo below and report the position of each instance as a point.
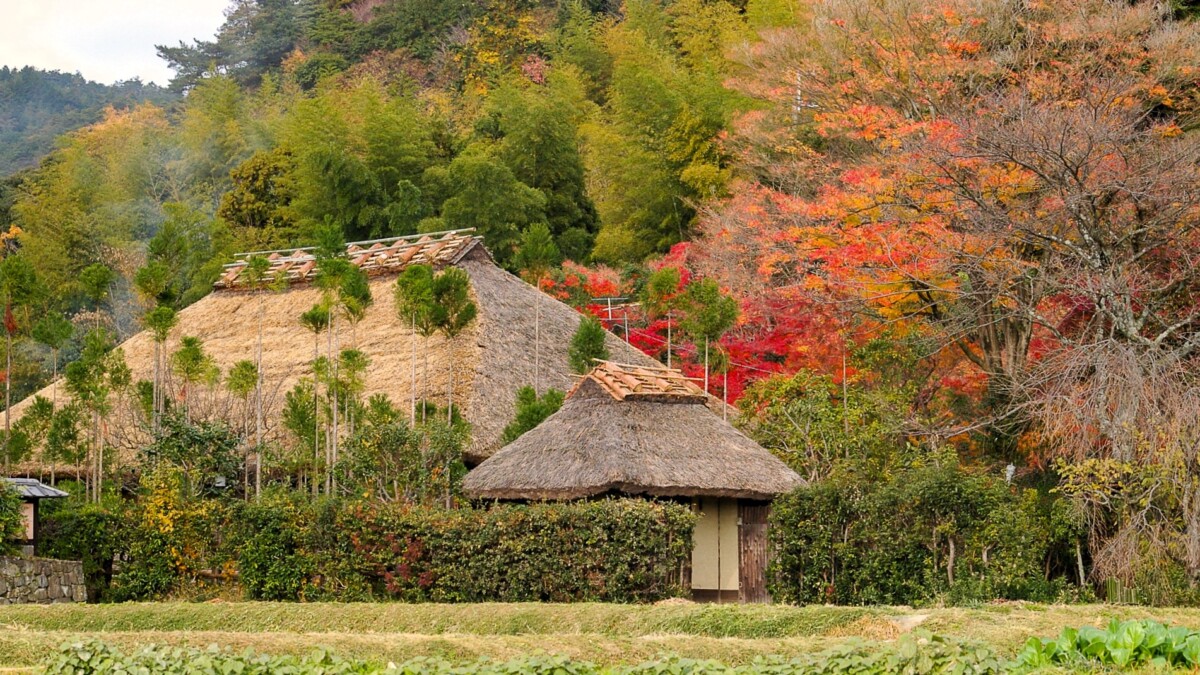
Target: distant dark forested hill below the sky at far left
(39, 106)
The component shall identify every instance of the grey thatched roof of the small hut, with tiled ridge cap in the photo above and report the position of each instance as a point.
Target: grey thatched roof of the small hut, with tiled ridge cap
(635, 431)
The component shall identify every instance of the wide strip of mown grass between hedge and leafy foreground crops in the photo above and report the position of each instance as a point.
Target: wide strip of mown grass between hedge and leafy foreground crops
(603, 634)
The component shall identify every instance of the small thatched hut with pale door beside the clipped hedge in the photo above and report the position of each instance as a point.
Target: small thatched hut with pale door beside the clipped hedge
(646, 431)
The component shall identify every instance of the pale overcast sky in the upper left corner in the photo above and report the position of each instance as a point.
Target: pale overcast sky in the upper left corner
(104, 40)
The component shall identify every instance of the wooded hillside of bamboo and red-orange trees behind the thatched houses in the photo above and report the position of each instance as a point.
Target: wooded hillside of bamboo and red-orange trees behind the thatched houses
(943, 255)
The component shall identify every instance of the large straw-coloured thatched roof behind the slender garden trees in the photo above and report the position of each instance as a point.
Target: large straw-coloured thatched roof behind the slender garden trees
(491, 360)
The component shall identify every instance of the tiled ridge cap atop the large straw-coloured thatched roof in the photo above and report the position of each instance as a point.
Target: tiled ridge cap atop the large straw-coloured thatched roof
(377, 256)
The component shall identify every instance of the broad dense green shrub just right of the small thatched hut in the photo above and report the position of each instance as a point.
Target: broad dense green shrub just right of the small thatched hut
(925, 534)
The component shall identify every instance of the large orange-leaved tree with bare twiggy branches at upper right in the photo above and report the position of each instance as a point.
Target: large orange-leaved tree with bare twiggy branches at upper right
(1001, 182)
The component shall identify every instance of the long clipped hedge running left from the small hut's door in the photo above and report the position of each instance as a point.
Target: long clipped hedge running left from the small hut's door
(292, 548)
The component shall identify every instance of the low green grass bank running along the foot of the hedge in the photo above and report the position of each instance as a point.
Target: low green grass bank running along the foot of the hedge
(614, 620)
